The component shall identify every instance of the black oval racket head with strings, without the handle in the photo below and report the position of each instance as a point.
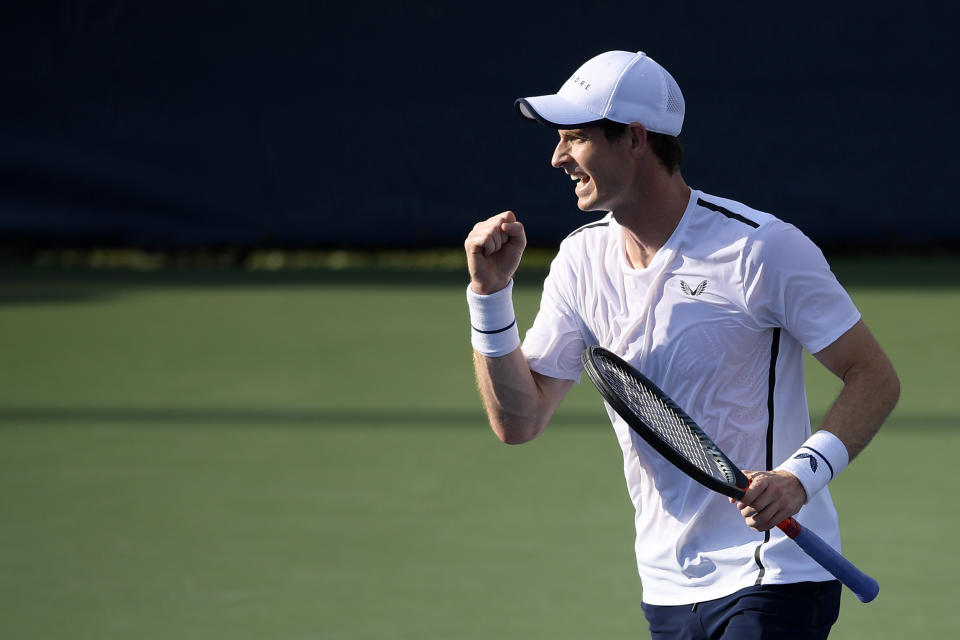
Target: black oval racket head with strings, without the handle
(656, 418)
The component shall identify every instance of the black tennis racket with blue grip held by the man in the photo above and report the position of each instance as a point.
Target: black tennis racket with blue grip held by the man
(668, 429)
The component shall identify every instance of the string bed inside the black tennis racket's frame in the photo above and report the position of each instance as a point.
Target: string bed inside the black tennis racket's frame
(663, 419)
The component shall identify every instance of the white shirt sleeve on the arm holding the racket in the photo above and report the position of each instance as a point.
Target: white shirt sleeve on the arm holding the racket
(788, 283)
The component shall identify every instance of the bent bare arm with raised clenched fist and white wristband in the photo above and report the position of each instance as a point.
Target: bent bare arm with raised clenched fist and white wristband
(519, 402)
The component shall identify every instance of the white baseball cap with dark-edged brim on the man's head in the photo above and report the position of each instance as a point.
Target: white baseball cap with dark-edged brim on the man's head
(617, 85)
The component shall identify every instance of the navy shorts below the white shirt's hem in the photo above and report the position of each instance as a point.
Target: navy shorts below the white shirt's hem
(801, 611)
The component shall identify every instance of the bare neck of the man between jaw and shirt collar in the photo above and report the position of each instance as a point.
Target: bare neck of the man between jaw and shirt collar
(652, 217)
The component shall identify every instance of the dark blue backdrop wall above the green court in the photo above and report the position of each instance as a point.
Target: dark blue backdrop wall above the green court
(172, 124)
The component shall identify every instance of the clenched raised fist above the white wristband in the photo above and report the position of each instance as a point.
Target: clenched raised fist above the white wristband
(494, 248)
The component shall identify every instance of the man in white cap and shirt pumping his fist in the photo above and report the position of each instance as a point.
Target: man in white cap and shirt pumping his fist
(715, 302)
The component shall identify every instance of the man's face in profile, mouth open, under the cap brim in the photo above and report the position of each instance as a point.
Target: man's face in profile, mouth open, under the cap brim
(600, 168)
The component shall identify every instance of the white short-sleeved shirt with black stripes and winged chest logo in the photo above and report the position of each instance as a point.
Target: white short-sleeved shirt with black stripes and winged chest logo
(719, 321)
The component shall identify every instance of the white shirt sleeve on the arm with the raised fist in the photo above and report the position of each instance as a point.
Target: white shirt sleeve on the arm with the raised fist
(554, 343)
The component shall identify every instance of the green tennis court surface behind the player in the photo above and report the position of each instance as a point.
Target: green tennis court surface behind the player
(301, 454)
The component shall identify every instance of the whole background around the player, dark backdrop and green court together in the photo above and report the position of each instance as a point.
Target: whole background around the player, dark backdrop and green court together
(235, 385)
